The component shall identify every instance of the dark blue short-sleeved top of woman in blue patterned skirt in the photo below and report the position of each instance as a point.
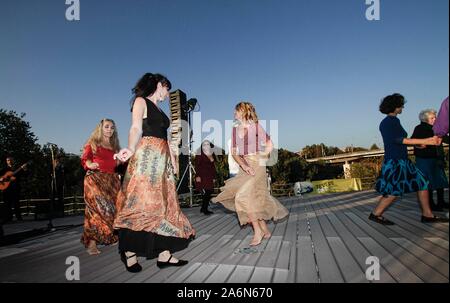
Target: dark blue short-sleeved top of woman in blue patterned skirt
(393, 134)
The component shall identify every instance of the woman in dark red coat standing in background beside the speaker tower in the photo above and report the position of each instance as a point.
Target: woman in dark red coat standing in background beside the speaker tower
(205, 172)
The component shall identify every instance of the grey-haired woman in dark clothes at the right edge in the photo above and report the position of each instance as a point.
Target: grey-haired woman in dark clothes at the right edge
(430, 159)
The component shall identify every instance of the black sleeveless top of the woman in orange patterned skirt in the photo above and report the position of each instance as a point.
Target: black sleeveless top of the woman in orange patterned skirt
(156, 123)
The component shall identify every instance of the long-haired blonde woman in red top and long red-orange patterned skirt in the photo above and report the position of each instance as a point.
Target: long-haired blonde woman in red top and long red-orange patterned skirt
(101, 186)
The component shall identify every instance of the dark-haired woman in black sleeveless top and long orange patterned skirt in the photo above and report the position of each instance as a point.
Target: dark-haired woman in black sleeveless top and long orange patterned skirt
(150, 221)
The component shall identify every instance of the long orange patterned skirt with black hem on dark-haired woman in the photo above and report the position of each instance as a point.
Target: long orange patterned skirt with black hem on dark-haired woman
(149, 219)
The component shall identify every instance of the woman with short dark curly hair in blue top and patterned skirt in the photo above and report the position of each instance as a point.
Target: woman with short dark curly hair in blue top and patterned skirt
(398, 174)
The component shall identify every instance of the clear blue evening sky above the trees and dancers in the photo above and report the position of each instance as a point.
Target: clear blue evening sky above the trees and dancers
(317, 66)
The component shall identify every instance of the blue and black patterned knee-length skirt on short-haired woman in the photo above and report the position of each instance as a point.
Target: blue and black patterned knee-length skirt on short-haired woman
(400, 176)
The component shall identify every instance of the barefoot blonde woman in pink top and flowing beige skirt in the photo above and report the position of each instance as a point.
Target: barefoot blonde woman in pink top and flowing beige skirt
(247, 193)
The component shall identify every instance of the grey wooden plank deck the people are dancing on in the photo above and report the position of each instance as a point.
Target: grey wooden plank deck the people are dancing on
(326, 239)
